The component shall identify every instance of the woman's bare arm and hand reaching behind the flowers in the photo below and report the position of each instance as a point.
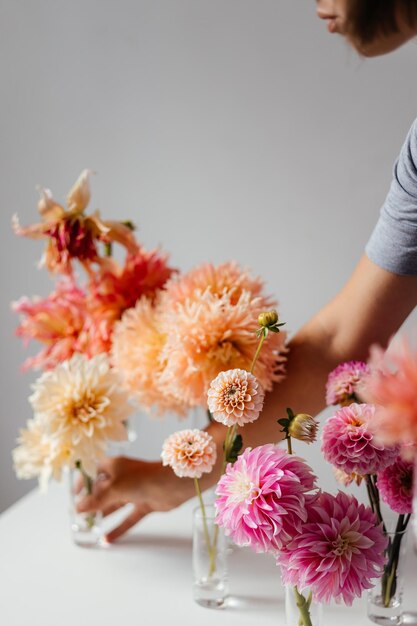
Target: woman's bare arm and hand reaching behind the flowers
(369, 309)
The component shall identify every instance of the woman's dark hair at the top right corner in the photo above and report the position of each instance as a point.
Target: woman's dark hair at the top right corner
(369, 19)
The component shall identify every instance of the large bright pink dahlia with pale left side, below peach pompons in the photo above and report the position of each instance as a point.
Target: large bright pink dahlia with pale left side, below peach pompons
(261, 498)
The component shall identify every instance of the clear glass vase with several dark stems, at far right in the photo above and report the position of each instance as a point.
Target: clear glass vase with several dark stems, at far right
(385, 598)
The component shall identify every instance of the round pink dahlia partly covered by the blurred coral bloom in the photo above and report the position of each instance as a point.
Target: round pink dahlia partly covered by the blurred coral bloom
(349, 445)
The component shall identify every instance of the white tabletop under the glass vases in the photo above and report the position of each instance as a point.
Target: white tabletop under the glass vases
(145, 578)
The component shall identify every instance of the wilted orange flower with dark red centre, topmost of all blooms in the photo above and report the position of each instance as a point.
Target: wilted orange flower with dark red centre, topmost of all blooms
(70, 233)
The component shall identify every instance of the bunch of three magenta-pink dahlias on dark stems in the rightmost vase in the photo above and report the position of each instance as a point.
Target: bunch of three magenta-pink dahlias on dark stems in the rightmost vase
(350, 443)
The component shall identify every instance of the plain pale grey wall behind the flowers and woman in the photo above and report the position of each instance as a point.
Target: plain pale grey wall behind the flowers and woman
(226, 129)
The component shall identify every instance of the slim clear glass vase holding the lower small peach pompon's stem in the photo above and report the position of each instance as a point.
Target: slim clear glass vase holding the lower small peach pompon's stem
(210, 586)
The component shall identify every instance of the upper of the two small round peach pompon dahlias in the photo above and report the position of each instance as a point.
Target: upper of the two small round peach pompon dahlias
(235, 397)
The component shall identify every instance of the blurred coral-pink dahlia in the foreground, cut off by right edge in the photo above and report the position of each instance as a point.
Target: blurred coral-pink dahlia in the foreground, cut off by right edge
(392, 386)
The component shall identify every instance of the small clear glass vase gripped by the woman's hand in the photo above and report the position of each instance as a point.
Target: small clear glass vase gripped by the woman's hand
(85, 527)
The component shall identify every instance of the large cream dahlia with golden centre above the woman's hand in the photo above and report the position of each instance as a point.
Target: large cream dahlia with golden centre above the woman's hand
(80, 406)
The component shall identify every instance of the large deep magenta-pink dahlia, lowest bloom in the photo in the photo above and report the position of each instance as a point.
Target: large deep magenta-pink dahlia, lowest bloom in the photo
(339, 551)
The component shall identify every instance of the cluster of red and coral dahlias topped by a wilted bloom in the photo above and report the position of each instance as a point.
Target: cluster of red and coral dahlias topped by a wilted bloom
(79, 318)
